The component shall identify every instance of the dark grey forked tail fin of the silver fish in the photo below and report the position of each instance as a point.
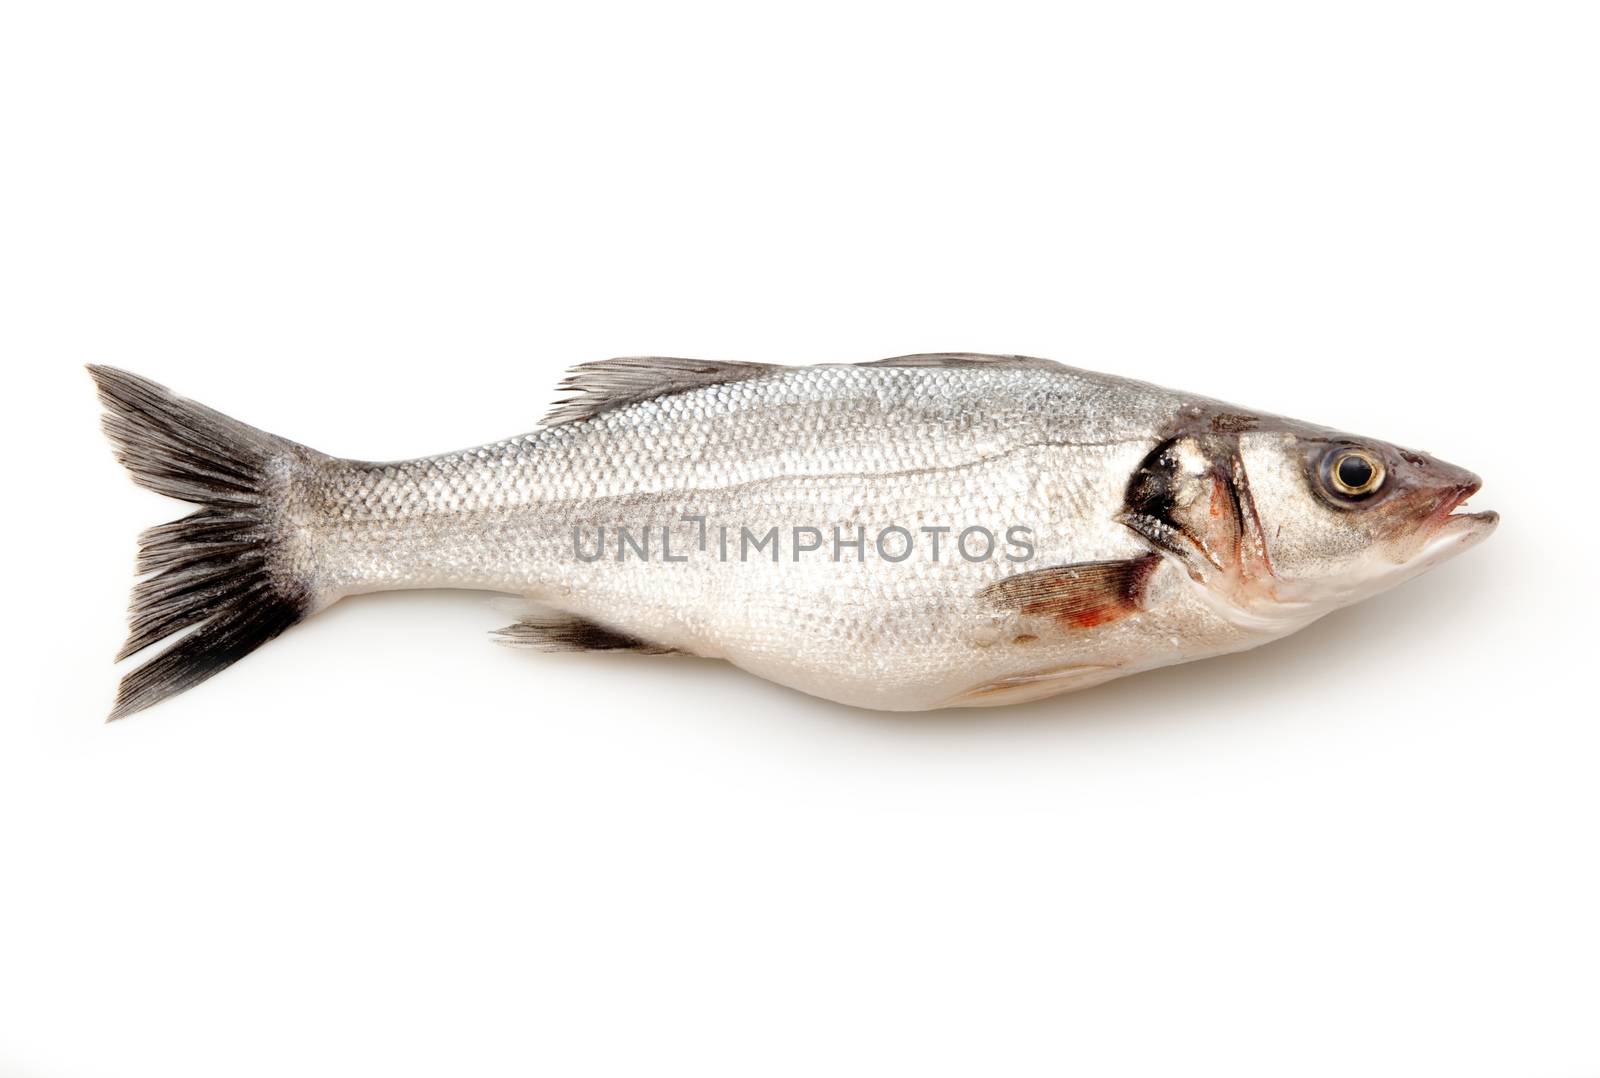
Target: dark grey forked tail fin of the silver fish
(223, 572)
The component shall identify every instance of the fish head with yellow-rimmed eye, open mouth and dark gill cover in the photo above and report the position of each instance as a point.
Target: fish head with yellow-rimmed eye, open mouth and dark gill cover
(1284, 522)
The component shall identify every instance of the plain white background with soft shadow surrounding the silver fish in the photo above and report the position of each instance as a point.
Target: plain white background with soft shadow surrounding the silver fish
(383, 845)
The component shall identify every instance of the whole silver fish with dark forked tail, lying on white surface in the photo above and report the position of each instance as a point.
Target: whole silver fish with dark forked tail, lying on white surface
(916, 533)
